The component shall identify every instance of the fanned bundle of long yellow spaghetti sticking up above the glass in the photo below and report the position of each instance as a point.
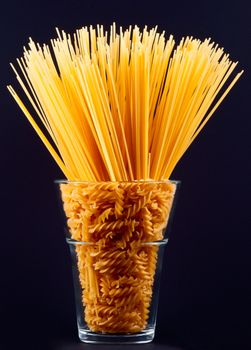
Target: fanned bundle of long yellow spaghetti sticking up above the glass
(125, 107)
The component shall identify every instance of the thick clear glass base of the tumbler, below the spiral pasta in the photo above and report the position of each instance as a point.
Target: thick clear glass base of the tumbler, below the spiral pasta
(143, 337)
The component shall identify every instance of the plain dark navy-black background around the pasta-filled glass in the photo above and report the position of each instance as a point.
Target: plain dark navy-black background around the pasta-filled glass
(205, 295)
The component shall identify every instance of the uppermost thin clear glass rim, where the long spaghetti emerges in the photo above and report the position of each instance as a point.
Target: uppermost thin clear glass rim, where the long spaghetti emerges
(65, 181)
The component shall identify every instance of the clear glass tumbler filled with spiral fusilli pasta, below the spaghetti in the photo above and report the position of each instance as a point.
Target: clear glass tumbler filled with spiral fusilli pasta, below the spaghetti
(117, 232)
